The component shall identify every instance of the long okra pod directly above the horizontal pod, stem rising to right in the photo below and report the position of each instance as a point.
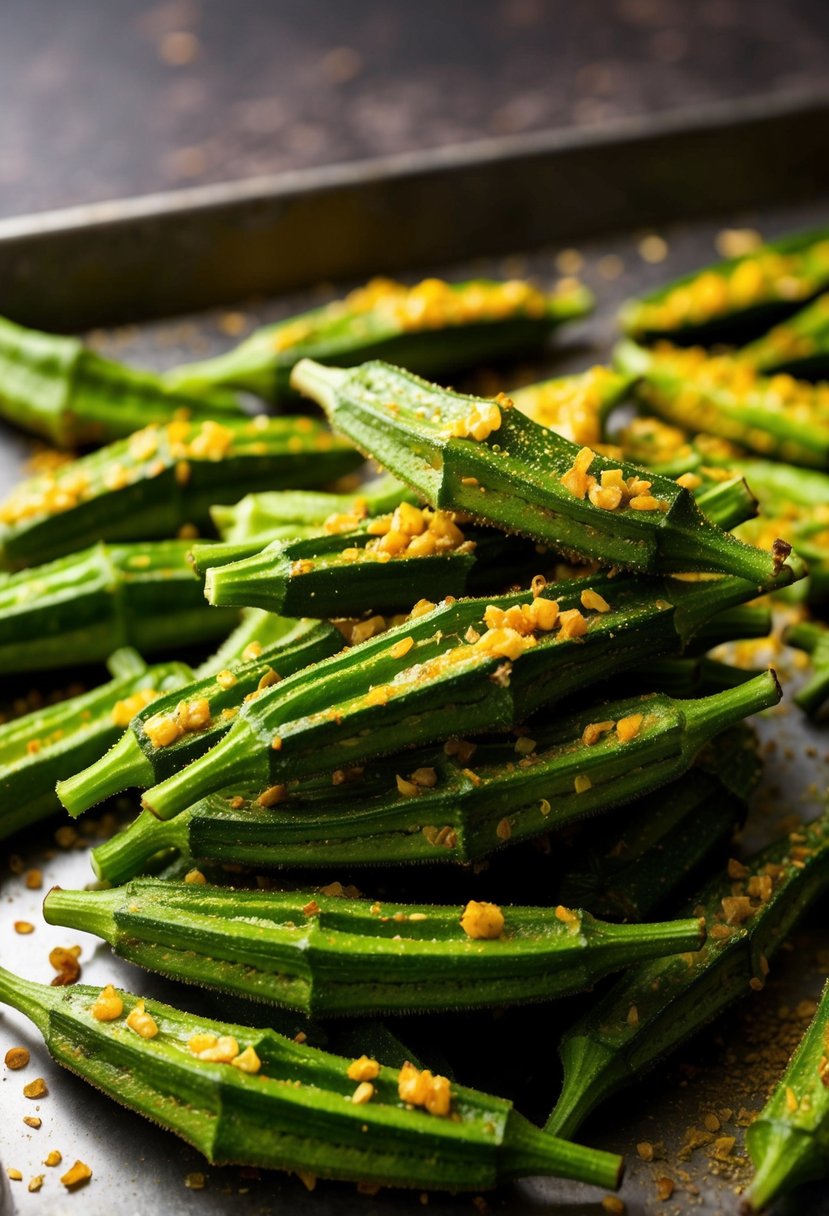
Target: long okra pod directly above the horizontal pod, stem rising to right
(458, 804)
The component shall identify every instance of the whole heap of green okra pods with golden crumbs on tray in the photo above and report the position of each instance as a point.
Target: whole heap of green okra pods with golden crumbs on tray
(416, 702)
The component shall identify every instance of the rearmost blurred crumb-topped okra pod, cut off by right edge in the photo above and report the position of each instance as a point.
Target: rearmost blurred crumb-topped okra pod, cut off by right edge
(736, 300)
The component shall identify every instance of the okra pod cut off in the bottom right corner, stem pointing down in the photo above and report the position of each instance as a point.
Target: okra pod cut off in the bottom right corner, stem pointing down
(789, 1141)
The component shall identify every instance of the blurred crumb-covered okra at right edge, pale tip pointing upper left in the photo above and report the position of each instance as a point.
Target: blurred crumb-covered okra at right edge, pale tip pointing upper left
(770, 415)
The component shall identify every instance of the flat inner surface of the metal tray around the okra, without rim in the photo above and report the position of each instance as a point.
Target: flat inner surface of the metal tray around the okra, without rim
(139, 1169)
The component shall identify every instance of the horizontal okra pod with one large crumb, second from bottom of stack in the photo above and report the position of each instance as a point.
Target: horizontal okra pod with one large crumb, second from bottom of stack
(330, 956)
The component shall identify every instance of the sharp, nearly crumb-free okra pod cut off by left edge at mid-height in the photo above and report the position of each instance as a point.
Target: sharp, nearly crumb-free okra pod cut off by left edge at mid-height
(83, 607)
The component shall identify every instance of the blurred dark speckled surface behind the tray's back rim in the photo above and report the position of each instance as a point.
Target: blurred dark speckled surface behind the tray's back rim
(104, 99)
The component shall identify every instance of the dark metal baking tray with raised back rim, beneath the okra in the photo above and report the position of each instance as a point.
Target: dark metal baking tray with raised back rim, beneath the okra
(263, 250)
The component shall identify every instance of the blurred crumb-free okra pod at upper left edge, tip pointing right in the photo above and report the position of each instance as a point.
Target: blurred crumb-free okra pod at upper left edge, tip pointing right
(55, 387)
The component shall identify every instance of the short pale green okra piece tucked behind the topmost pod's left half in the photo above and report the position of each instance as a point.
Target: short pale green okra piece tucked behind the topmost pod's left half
(284, 515)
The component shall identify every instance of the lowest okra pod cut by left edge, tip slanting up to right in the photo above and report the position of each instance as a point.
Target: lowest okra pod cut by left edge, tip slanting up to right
(40, 748)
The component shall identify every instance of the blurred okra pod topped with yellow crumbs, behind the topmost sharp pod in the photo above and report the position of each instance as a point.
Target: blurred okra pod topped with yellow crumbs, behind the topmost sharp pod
(433, 328)
